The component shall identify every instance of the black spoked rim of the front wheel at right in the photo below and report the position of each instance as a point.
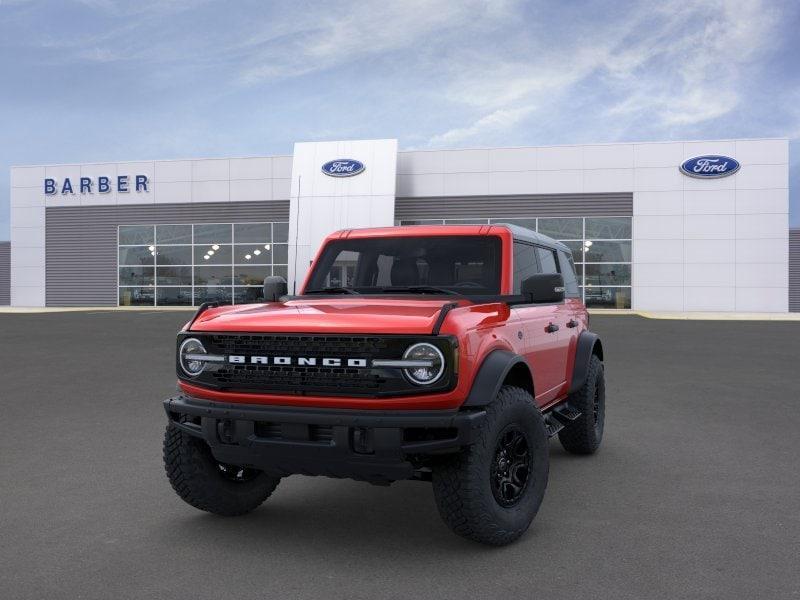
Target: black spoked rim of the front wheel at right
(511, 466)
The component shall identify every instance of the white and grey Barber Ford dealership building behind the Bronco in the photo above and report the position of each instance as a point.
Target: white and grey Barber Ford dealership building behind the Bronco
(666, 226)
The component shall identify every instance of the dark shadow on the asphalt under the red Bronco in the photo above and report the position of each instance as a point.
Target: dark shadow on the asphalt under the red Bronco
(322, 514)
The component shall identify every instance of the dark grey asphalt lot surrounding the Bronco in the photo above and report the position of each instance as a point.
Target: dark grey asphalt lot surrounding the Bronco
(695, 492)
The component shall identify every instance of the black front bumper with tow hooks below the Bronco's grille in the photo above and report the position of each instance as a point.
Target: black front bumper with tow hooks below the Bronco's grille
(377, 446)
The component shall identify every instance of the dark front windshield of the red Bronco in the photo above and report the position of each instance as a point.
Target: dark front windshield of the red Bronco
(417, 265)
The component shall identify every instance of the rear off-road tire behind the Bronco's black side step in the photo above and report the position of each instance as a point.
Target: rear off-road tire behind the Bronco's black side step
(584, 434)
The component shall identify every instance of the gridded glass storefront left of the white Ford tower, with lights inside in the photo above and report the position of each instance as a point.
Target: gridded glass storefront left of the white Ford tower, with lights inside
(185, 264)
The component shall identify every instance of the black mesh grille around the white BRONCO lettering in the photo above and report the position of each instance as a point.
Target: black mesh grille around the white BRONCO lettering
(307, 379)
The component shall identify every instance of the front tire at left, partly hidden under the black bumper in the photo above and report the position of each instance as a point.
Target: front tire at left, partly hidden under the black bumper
(198, 479)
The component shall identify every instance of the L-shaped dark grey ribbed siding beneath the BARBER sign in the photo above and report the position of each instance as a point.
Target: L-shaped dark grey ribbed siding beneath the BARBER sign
(82, 241)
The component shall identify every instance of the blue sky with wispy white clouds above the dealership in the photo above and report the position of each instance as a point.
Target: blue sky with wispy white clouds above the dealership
(104, 80)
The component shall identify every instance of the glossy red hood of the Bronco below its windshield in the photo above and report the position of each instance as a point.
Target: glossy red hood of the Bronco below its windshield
(362, 315)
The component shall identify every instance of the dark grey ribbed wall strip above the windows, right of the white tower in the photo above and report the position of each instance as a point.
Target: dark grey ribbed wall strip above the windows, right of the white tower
(508, 207)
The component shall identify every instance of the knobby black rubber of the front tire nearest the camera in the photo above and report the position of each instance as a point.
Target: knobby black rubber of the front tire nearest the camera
(462, 484)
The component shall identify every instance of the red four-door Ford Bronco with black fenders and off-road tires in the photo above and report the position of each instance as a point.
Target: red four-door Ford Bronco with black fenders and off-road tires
(447, 354)
